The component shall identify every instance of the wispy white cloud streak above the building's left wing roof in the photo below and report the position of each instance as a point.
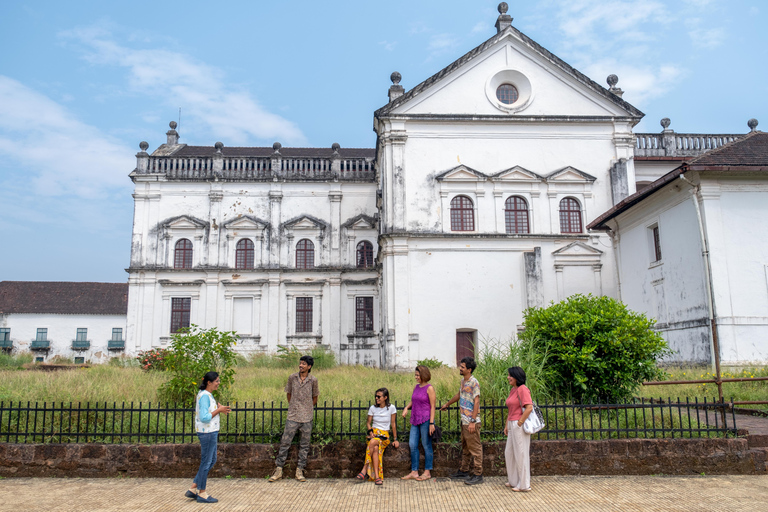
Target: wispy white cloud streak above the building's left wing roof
(229, 111)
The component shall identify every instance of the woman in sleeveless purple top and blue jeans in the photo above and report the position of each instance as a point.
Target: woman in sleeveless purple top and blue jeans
(422, 406)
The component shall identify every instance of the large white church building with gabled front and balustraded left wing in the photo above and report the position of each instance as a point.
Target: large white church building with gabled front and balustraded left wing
(472, 207)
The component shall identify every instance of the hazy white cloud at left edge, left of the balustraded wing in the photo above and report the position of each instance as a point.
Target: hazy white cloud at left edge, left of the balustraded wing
(60, 154)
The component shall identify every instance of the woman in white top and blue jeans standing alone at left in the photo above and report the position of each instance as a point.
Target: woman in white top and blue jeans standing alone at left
(207, 427)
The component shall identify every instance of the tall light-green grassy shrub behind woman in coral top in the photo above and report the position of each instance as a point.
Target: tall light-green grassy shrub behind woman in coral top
(495, 356)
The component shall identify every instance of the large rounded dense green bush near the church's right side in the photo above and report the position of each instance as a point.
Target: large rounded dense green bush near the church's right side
(598, 349)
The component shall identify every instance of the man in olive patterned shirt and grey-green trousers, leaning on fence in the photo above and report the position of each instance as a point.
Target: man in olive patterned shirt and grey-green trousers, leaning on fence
(303, 390)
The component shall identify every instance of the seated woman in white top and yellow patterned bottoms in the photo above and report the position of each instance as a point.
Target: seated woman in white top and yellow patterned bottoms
(380, 418)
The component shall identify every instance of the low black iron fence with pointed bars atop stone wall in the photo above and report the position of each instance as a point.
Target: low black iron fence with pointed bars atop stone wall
(33, 422)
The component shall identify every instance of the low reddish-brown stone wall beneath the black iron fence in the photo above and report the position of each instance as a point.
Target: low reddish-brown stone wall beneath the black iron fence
(344, 459)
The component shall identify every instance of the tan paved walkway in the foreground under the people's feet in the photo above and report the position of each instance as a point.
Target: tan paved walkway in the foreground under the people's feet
(550, 494)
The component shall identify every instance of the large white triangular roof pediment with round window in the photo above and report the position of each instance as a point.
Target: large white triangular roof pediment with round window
(467, 86)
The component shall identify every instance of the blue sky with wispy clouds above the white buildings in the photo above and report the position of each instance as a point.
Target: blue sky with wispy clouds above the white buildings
(82, 83)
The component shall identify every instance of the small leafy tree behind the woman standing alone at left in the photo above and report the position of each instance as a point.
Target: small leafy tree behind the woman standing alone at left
(194, 352)
